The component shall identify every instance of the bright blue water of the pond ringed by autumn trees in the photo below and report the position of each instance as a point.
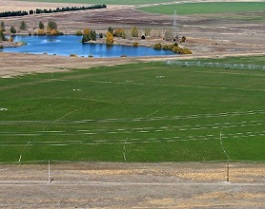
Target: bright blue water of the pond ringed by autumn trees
(70, 44)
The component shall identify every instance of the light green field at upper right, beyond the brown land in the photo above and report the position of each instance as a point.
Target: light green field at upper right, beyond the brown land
(206, 7)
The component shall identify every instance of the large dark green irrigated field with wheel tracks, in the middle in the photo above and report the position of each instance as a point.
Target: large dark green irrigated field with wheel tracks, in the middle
(146, 112)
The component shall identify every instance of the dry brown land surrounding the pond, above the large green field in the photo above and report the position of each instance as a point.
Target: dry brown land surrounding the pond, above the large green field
(208, 35)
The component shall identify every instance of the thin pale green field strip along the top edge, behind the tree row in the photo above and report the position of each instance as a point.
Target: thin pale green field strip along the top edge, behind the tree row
(107, 2)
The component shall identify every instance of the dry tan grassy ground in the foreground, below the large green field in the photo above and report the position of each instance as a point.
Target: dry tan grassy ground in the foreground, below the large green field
(122, 185)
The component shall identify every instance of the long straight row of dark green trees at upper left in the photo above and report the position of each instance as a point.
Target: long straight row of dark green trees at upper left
(40, 11)
